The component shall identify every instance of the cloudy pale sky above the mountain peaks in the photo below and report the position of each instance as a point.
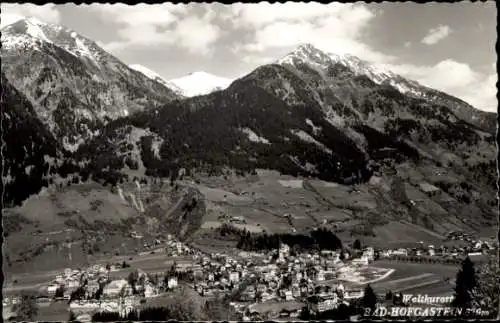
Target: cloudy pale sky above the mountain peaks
(447, 46)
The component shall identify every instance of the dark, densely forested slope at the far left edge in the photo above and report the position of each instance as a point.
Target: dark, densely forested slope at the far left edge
(30, 152)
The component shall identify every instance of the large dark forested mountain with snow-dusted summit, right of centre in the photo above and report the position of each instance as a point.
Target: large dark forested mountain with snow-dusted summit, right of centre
(311, 116)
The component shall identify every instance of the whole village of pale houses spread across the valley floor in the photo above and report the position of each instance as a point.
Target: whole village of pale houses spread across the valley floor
(320, 280)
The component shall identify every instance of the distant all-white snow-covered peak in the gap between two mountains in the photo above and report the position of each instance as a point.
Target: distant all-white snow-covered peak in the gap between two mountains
(200, 83)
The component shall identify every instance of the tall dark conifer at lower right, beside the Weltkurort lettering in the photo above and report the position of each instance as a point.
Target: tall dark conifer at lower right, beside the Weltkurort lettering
(465, 284)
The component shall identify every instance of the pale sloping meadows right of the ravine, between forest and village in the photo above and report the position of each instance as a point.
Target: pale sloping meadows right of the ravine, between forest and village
(270, 202)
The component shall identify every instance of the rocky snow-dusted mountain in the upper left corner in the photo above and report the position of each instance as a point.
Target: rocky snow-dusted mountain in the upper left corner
(74, 85)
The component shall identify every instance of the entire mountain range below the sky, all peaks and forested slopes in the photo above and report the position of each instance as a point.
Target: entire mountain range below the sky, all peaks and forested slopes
(311, 113)
